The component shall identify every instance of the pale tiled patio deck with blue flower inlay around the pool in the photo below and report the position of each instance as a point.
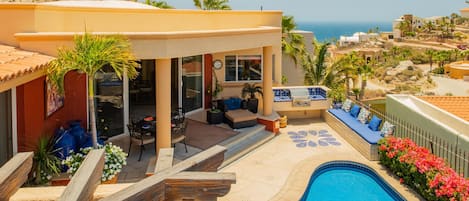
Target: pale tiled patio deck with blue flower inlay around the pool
(280, 169)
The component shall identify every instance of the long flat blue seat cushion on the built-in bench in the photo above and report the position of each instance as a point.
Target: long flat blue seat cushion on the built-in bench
(366, 133)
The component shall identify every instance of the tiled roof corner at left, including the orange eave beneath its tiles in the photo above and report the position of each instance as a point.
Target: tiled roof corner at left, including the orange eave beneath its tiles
(18, 66)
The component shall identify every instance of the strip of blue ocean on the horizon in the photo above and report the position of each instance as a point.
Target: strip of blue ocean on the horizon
(333, 30)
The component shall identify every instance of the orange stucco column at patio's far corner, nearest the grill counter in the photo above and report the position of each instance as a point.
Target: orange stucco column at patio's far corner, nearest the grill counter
(267, 80)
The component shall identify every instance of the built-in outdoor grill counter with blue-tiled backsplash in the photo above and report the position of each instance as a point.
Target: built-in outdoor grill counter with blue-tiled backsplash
(311, 99)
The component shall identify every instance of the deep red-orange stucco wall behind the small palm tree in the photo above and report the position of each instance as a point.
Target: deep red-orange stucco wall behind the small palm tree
(32, 122)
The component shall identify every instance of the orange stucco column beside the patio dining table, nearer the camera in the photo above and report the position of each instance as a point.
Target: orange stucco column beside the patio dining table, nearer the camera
(163, 103)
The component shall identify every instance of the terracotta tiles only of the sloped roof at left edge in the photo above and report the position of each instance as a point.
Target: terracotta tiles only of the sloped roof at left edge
(15, 63)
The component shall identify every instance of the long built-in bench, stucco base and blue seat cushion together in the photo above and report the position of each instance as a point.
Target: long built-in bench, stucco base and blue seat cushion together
(353, 131)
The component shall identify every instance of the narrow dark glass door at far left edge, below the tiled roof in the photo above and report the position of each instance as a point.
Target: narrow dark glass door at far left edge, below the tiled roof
(6, 146)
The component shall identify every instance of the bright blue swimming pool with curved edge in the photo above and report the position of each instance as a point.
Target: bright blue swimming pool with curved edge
(346, 180)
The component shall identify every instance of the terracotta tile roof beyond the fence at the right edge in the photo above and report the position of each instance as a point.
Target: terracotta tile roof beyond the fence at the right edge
(457, 105)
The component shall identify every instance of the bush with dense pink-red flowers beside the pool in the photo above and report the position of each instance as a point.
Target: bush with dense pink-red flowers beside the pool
(426, 173)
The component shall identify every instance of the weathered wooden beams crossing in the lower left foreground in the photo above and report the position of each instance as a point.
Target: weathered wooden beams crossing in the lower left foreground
(195, 178)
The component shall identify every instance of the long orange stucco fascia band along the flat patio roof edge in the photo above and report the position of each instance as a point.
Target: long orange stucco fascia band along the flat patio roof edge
(151, 45)
